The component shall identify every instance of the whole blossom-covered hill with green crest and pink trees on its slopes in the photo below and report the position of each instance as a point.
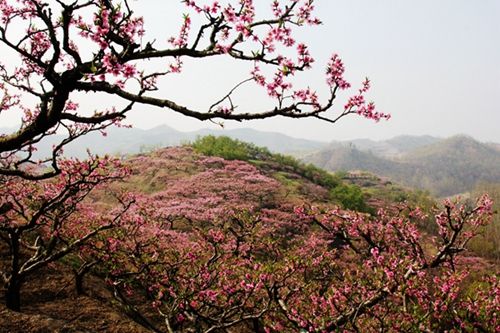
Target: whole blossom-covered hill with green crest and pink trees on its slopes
(225, 234)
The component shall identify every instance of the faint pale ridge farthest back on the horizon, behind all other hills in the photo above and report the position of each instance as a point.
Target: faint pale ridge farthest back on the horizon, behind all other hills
(135, 140)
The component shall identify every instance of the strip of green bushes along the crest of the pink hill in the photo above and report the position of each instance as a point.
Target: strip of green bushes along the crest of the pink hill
(348, 196)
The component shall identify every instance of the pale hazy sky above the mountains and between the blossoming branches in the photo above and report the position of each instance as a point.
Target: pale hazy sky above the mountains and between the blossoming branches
(434, 65)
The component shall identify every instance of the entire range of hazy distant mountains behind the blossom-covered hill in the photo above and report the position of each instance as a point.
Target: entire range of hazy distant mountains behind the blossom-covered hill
(442, 166)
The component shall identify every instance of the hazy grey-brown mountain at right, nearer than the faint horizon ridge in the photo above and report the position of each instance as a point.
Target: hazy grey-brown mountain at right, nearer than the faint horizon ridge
(444, 167)
